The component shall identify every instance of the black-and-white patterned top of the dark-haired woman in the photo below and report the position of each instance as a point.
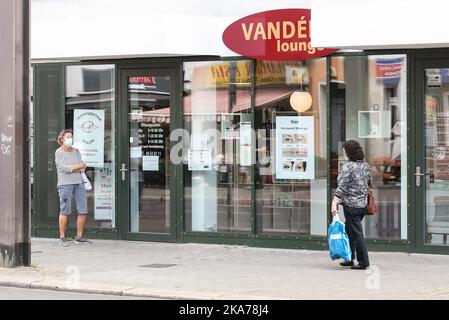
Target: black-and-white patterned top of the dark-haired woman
(352, 184)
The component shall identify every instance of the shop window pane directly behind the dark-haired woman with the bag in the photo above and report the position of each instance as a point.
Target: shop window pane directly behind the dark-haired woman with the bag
(368, 104)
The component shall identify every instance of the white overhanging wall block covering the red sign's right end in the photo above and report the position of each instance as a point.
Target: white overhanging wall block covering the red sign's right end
(367, 24)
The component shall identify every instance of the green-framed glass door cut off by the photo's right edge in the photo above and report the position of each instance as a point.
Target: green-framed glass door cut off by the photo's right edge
(432, 156)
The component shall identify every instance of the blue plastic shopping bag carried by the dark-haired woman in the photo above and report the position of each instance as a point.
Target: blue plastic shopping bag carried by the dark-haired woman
(338, 240)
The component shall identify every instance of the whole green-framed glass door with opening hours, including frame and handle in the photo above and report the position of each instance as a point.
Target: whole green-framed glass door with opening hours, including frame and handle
(146, 169)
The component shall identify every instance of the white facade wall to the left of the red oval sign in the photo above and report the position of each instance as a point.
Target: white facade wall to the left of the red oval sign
(100, 28)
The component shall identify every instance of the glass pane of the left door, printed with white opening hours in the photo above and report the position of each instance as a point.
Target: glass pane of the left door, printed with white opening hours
(149, 153)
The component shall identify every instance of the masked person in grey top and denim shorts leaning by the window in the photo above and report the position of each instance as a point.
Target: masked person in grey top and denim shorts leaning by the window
(69, 165)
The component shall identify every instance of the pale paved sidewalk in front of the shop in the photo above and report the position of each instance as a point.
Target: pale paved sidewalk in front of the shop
(206, 271)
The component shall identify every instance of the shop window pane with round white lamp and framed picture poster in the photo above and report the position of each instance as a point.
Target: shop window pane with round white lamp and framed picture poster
(291, 180)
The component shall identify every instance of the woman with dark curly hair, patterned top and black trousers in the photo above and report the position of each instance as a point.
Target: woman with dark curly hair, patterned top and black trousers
(352, 193)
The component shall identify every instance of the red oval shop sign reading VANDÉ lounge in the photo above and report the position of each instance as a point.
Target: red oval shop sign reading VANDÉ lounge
(280, 35)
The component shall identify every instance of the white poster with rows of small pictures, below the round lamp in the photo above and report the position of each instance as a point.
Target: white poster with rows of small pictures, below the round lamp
(295, 151)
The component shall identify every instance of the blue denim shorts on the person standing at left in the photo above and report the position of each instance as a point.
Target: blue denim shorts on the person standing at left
(65, 198)
